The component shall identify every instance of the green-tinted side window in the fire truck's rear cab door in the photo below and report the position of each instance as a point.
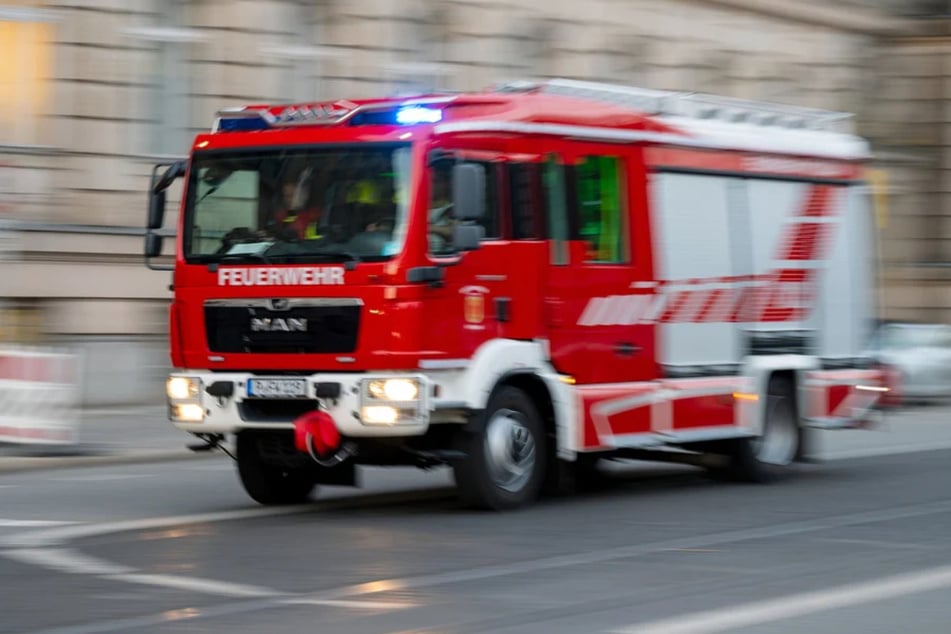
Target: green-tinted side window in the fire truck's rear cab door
(600, 207)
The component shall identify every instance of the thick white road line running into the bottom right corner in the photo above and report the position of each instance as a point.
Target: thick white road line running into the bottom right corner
(796, 605)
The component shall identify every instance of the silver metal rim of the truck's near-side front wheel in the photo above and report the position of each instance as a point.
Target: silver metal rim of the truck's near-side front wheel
(509, 450)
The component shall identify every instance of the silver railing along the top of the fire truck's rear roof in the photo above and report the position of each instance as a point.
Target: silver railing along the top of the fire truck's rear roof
(691, 105)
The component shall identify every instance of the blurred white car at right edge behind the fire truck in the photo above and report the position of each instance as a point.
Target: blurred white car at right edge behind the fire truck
(920, 355)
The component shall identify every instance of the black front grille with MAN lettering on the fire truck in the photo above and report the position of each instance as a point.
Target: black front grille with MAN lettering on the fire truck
(314, 326)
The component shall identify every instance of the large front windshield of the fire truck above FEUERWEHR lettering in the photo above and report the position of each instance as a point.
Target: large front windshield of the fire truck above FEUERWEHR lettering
(300, 205)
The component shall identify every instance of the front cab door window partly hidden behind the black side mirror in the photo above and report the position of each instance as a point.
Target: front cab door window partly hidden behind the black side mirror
(440, 212)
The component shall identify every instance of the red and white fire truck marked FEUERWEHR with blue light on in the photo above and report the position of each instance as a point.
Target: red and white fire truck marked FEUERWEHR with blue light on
(519, 284)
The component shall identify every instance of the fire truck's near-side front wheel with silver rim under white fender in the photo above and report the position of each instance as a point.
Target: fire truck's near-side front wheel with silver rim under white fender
(506, 454)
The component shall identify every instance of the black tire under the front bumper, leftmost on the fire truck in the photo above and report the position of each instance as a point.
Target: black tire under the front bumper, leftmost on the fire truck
(271, 483)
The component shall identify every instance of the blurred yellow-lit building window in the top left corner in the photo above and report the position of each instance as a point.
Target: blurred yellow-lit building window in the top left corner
(26, 69)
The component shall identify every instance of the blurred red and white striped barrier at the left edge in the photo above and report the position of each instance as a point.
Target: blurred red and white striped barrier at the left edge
(39, 396)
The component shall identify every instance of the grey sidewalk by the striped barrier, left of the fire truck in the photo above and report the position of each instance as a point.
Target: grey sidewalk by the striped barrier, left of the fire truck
(109, 435)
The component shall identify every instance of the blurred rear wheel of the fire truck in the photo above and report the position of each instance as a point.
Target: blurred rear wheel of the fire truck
(771, 456)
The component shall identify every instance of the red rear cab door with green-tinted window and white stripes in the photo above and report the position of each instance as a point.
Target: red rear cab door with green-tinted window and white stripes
(599, 286)
